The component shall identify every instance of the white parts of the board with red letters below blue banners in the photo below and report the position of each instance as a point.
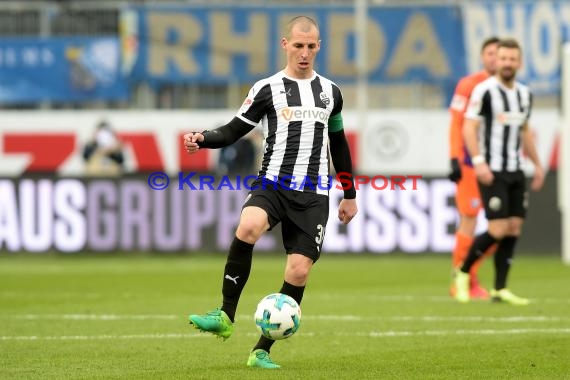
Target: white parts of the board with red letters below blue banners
(400, 142)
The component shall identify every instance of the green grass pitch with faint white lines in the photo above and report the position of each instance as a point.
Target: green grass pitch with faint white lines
(363, 318)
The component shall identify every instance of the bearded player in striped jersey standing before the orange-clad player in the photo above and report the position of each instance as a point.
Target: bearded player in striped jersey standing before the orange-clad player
(496, 126)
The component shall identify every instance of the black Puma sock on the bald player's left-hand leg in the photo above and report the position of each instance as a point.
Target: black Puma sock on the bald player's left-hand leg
(236, 273)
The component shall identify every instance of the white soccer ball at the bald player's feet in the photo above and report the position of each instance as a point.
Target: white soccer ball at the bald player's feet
(277, 316)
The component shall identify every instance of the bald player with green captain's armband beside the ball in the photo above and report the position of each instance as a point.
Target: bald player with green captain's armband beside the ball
(300, 112)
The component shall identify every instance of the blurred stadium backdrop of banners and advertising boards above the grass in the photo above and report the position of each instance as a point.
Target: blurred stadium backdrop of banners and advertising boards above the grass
(156, 70)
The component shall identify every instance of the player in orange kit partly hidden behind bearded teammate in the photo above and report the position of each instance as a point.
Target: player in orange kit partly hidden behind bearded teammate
(467, 197)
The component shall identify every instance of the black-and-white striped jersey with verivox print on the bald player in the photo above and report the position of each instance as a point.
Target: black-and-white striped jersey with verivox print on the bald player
(294, 115)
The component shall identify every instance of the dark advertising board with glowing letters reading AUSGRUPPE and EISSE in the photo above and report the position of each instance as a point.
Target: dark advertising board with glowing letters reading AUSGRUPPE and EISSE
(73, 215)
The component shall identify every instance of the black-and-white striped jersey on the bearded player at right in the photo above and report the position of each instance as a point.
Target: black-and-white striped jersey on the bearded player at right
(503, 112)
